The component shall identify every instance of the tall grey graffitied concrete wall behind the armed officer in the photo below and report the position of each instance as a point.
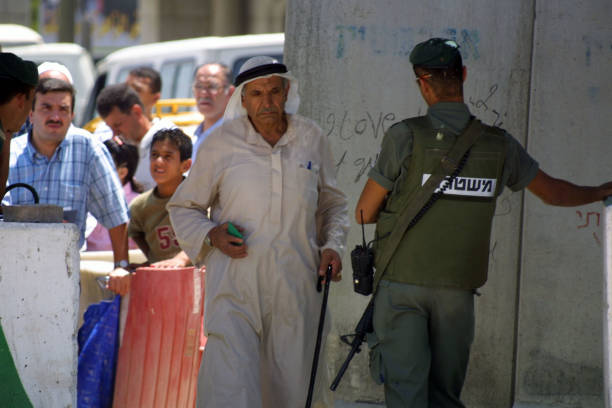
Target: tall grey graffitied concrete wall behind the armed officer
(534, 68)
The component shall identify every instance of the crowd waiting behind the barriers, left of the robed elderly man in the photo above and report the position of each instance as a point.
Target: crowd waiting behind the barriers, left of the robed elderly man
(72, 168)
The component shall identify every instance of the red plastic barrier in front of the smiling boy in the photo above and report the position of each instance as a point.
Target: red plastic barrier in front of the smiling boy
(160, 354)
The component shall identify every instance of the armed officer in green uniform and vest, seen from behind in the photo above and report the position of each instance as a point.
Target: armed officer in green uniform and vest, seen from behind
(423, 307)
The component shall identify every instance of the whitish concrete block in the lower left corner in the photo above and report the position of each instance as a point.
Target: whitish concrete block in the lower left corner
(39, 289)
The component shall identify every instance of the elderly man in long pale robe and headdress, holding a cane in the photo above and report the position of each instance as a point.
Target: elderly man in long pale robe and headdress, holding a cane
(271, 173)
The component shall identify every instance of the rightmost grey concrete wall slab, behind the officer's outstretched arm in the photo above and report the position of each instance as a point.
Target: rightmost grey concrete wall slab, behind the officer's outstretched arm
(560, 326)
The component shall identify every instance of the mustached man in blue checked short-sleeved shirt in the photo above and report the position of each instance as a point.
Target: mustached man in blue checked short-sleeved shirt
(67, 167)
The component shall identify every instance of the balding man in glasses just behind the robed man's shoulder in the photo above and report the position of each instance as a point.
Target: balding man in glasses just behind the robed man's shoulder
(212, 89)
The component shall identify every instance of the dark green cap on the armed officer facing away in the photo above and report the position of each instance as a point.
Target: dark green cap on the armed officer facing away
(436, 53)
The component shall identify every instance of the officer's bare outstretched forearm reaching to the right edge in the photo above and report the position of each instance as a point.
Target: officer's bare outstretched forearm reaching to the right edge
(560, 192)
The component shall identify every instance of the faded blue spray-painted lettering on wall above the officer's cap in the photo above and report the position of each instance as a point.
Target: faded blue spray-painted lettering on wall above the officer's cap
(399, 41)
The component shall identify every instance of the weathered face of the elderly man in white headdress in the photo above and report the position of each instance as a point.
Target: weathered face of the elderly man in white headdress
(264, 100)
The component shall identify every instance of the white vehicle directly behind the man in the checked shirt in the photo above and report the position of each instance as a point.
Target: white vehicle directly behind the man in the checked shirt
(74, 57)
